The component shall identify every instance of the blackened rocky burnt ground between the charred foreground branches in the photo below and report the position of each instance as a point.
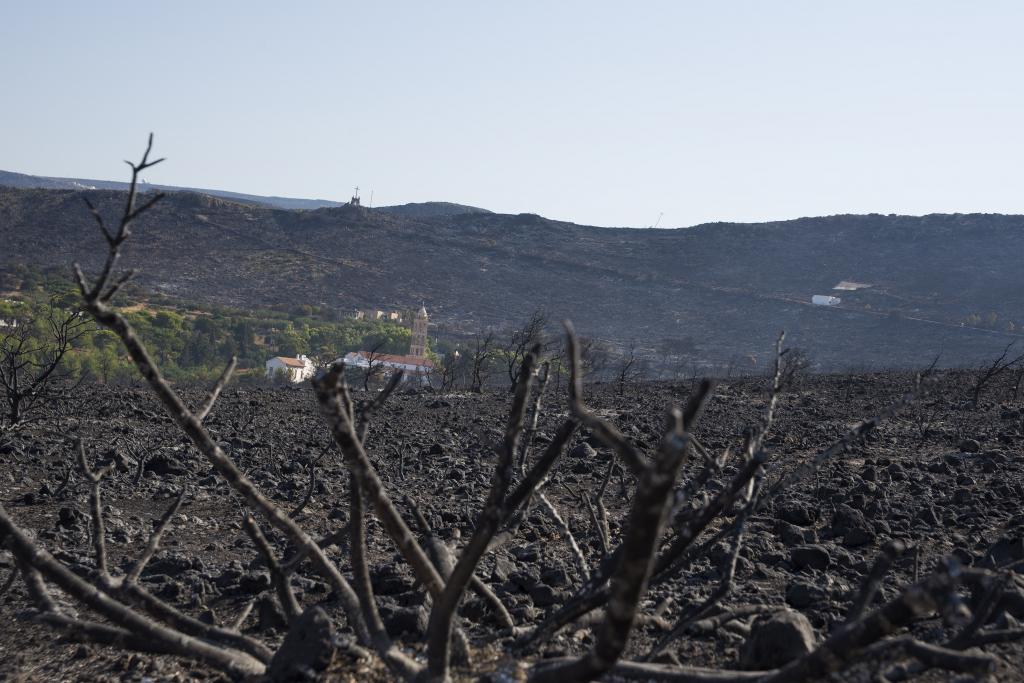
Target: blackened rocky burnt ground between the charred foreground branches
(944, 477)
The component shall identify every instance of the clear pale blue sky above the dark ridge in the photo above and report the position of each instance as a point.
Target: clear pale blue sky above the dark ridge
(619, 114)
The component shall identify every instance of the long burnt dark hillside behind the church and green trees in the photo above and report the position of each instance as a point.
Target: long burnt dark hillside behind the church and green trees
(729, 289)
